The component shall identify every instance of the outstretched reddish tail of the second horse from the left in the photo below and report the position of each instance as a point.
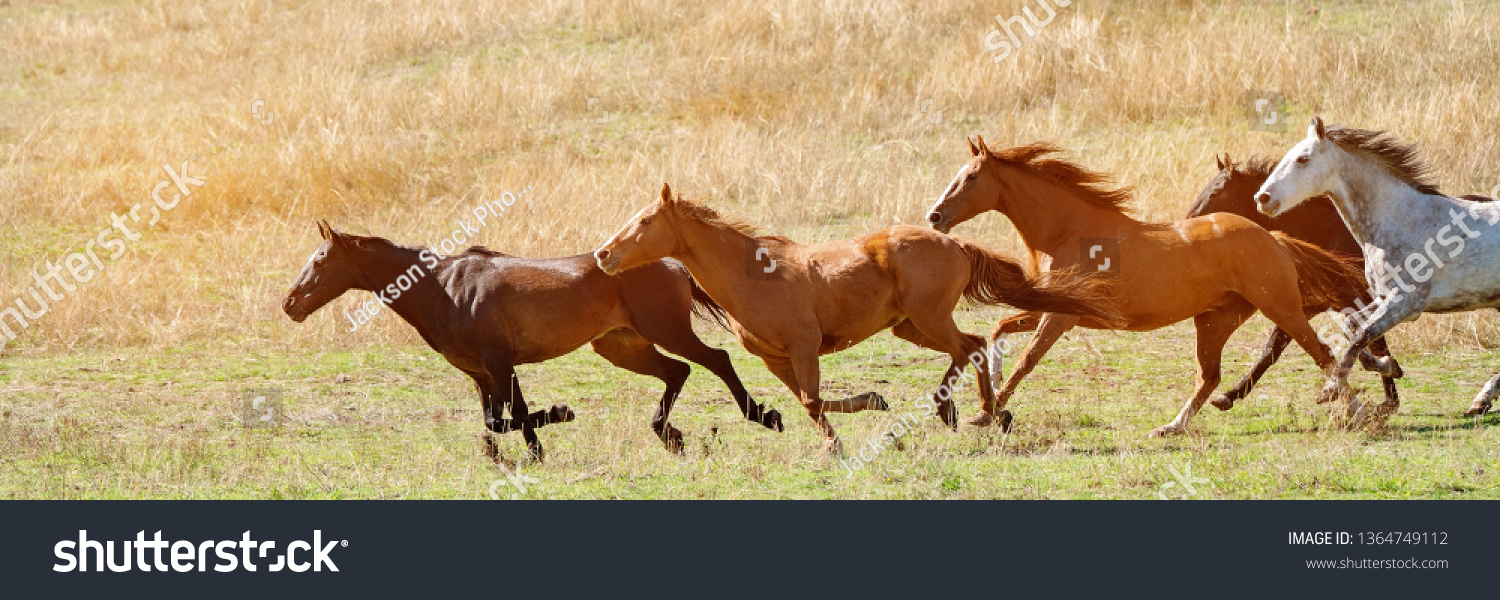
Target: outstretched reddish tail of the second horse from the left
(1000, 280)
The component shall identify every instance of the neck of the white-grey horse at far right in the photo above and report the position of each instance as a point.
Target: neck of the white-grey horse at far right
(1375, 205)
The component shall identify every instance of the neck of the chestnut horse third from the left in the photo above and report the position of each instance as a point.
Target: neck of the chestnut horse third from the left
(1051, 215)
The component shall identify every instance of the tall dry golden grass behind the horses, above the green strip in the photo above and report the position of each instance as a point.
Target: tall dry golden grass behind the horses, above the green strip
(394, 118)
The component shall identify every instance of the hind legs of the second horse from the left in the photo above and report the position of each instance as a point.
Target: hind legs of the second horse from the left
(964, 350)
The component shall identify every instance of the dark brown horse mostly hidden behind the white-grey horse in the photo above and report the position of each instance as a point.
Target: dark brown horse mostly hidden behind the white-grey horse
(1316, 221)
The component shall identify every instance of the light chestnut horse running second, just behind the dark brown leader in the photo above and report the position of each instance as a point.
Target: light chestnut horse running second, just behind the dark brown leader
(791, 304)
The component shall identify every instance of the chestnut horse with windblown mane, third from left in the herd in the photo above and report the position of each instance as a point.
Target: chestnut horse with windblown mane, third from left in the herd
(1217, 269)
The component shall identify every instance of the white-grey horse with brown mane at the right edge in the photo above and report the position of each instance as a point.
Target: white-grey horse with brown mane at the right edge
(1384, 193)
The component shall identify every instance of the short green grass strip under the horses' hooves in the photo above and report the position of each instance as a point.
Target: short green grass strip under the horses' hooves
(406, 425)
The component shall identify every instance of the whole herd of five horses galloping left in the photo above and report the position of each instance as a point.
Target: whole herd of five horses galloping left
(1313, 233)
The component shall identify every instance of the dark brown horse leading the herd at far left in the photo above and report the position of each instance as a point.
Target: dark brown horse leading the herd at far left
(488, 313)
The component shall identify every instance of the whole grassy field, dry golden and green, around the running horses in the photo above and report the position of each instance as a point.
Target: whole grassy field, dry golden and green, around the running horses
(814, 119)
